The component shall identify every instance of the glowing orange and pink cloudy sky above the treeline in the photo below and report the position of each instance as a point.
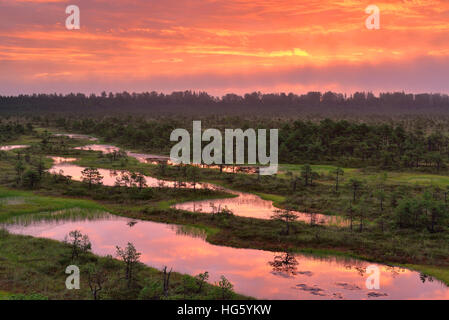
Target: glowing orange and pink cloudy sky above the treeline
(223, 45)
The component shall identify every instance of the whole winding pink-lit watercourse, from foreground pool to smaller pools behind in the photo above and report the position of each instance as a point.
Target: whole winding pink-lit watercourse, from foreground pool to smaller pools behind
(257, 273)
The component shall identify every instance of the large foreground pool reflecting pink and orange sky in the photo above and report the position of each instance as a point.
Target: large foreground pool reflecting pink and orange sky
(249, 270)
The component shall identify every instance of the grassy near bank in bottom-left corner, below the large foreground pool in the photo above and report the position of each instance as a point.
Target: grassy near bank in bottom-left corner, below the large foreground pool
(34, 268)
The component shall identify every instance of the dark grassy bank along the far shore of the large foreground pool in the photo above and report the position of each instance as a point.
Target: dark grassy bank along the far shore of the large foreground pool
(241, 232)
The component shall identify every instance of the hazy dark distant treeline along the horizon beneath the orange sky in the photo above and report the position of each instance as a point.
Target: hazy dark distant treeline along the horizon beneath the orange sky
(188, 102)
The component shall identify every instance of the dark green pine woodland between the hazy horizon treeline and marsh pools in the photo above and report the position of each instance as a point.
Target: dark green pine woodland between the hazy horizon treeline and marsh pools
(346, 143)
